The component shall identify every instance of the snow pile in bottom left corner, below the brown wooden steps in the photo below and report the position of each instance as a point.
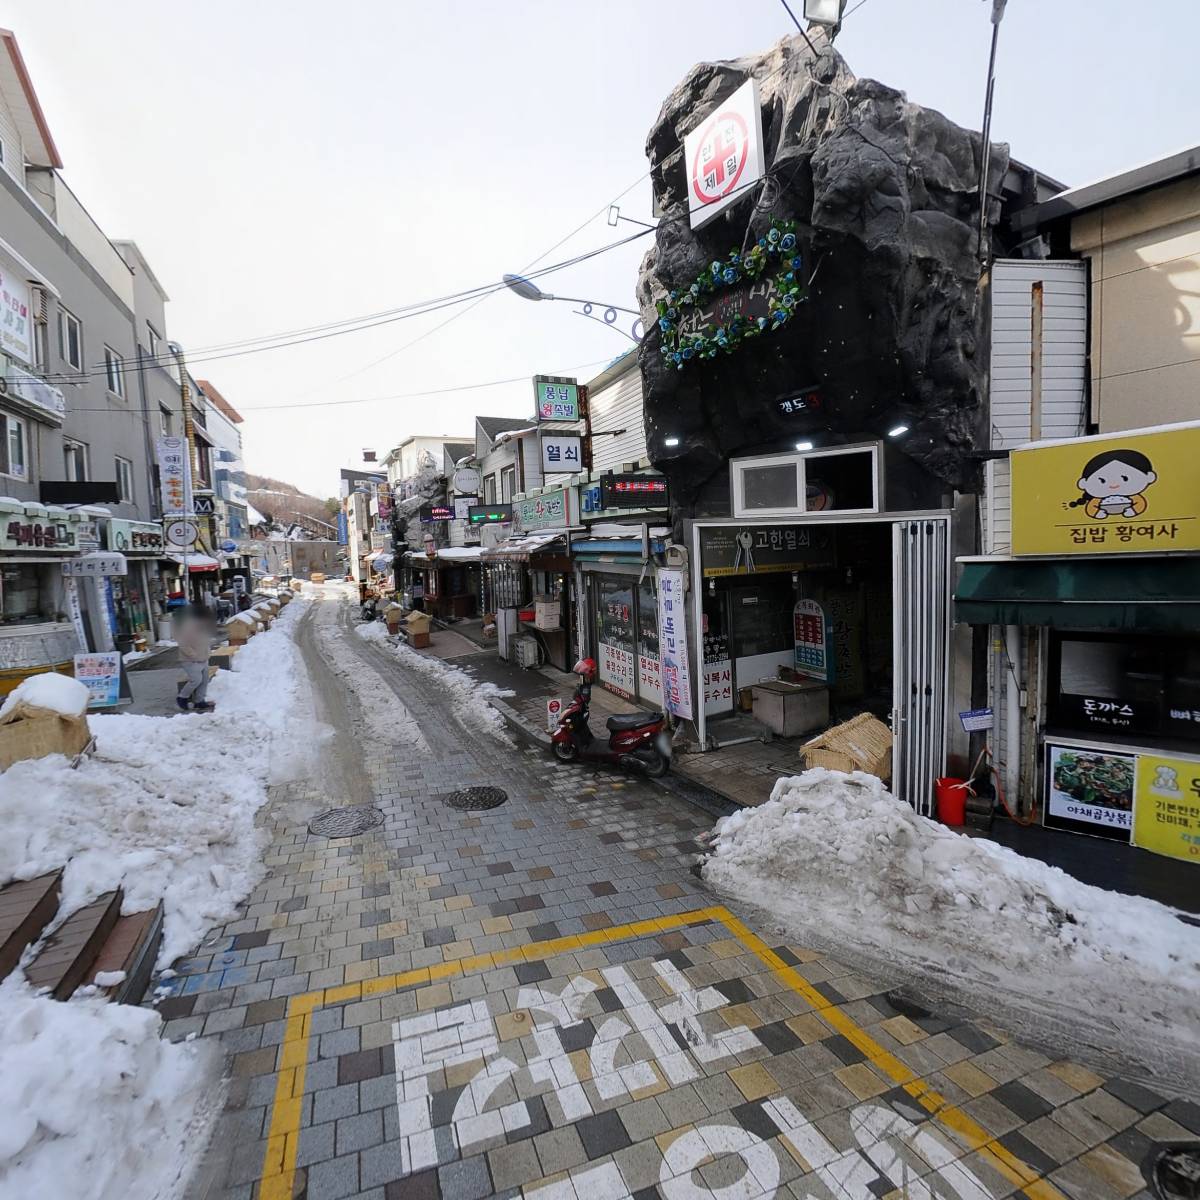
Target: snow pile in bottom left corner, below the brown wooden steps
(94, 1103)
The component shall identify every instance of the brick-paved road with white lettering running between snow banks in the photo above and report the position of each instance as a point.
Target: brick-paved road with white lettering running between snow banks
(542, 1000)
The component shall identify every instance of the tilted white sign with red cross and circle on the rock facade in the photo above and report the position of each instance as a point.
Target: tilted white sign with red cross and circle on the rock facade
(724, 155)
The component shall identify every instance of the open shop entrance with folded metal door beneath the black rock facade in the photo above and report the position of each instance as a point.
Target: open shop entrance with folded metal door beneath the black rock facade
(857, 605)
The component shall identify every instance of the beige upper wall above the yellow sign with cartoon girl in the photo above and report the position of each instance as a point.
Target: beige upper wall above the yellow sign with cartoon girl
(1145, 329)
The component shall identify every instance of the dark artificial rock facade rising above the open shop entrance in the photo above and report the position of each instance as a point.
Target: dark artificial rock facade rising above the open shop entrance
(884, 195)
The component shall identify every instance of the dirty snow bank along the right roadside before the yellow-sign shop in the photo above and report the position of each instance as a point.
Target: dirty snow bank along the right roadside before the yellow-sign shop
(839, 861)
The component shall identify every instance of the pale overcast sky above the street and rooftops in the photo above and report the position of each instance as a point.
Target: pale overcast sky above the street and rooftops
(285, 164)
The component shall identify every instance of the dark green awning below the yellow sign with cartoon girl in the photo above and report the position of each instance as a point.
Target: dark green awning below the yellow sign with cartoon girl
(1149, 596)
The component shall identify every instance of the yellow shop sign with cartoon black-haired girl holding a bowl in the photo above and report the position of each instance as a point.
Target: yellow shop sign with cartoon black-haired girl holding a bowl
(1136, 493)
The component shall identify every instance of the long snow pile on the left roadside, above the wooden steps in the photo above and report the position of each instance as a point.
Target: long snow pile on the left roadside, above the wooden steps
(166, 807)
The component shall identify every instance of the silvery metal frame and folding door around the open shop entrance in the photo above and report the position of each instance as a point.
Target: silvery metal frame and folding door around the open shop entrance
(932, 605)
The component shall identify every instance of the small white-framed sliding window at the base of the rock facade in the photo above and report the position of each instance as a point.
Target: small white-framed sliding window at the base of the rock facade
(845, 479)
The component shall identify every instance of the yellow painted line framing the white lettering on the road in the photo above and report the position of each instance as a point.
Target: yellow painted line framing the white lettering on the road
(279, 1162)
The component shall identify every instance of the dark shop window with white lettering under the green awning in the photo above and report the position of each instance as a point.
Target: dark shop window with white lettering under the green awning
(1125, 686)
